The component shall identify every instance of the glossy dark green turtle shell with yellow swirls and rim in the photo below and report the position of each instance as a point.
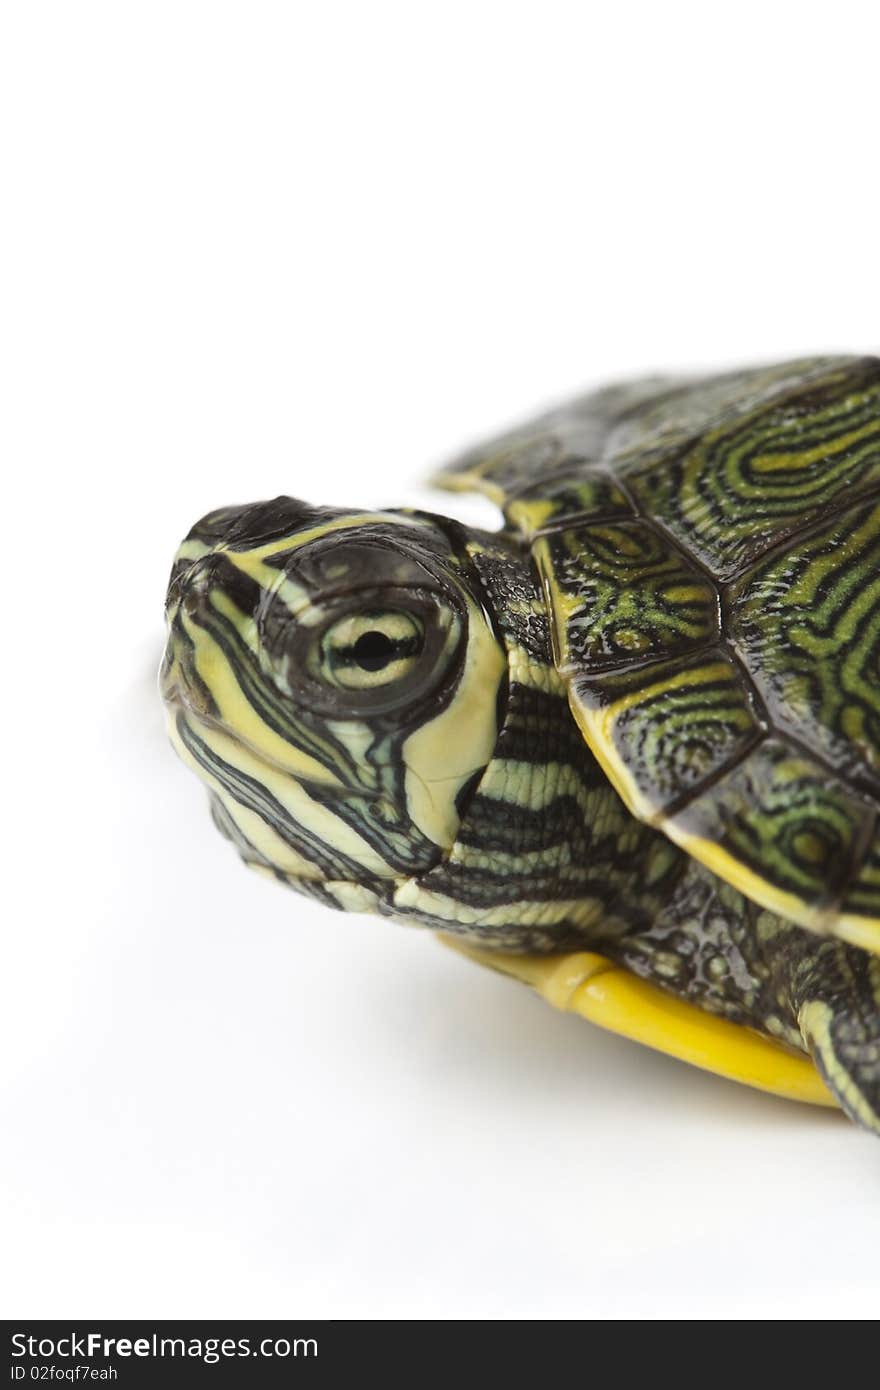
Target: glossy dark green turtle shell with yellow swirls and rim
(710, 551)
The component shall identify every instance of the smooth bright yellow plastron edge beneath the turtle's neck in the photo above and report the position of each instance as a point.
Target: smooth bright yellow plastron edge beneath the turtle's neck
(619, 1001)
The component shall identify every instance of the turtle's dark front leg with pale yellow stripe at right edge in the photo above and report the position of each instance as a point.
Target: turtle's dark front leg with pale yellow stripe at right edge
(836, 996)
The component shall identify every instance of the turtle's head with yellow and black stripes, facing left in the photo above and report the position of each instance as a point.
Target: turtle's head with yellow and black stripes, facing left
(337, 682)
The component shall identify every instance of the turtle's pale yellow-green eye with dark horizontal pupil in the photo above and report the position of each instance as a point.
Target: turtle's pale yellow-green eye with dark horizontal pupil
(370, 650)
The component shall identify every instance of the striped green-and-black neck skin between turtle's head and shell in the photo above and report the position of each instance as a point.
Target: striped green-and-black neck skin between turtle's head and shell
(547, 857)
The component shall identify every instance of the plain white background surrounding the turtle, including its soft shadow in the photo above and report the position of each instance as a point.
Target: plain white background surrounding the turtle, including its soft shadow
(262, 248)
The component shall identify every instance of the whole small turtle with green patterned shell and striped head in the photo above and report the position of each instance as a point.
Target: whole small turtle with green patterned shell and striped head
(625, 749)
